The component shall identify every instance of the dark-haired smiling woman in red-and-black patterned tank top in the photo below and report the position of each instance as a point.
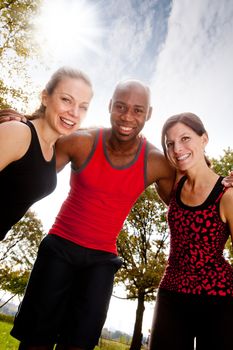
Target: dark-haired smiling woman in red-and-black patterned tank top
(194, 307)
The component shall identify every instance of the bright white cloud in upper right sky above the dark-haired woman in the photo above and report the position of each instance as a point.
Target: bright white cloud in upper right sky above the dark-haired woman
(194, 70)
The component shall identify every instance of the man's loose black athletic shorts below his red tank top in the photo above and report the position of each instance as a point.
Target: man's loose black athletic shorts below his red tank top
(67, 297)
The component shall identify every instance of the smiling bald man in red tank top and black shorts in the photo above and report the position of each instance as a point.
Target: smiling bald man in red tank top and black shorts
(70, 287)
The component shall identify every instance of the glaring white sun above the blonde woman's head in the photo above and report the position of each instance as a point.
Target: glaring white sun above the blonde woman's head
(68, 27)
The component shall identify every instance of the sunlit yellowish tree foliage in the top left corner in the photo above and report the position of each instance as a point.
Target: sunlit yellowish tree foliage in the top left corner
(16, 45)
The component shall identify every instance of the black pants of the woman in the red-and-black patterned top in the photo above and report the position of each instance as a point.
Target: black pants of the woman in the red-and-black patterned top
(179, 319)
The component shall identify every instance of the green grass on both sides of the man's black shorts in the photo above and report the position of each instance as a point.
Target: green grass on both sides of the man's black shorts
(9, 343)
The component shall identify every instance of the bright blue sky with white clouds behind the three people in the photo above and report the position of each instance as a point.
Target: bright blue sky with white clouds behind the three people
(183, 49)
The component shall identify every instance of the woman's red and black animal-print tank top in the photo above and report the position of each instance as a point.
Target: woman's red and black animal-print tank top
(198, 235)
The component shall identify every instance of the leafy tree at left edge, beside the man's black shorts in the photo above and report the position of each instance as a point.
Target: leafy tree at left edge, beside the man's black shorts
(18, 253)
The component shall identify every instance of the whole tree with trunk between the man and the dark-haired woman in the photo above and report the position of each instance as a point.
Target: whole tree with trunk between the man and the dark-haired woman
(142, 244)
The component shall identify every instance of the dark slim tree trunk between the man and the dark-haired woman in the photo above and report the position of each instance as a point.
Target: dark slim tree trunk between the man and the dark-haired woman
(137, 333)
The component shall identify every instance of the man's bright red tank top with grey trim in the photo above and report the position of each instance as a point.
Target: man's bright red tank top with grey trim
(100, 198)
